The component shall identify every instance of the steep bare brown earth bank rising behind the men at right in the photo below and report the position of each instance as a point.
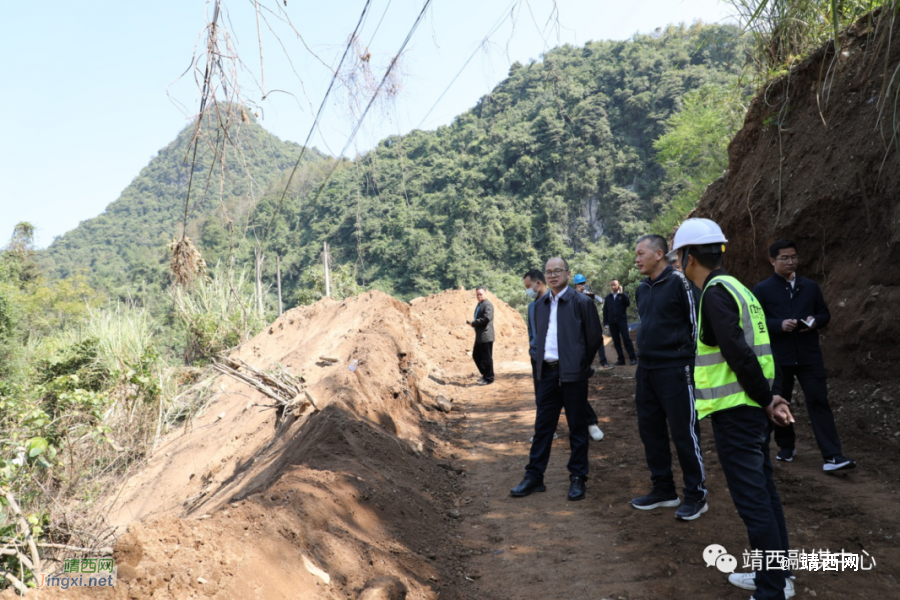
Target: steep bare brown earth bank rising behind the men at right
(819, 164)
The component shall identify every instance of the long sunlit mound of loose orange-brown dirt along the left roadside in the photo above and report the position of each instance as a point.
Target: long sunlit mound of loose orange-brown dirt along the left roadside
(245, 504)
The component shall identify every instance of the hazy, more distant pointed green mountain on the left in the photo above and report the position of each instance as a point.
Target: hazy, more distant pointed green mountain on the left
(125, 247)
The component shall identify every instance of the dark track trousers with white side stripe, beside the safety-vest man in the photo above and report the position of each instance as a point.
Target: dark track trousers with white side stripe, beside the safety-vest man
(667, 395)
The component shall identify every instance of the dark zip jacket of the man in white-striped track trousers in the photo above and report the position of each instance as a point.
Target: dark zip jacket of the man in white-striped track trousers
(668, 310)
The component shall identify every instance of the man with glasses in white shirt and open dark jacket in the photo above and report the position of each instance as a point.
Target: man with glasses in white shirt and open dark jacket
(568, 335)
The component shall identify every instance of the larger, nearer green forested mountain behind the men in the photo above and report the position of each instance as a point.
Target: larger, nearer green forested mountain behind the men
(556, 156)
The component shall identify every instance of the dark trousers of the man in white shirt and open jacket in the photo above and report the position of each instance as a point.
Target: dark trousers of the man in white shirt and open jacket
(552, 397)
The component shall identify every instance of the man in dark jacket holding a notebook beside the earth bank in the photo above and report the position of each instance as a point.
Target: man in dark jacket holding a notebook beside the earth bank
(795, 311)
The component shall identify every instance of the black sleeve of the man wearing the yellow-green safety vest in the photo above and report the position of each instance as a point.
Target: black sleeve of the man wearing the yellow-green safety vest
(720, 325)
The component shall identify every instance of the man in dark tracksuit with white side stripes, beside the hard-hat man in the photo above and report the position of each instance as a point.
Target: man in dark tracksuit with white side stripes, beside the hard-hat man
(667, 303)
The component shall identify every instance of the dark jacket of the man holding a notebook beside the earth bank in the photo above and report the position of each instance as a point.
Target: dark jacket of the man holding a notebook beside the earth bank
(780, 302)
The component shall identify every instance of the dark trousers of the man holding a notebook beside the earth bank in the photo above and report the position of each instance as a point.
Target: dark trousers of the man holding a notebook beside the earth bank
(812, 380)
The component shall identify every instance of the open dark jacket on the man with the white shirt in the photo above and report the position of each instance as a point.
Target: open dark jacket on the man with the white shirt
(579, 334)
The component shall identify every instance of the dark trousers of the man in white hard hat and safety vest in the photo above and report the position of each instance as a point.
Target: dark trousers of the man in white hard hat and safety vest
(742, 441)
